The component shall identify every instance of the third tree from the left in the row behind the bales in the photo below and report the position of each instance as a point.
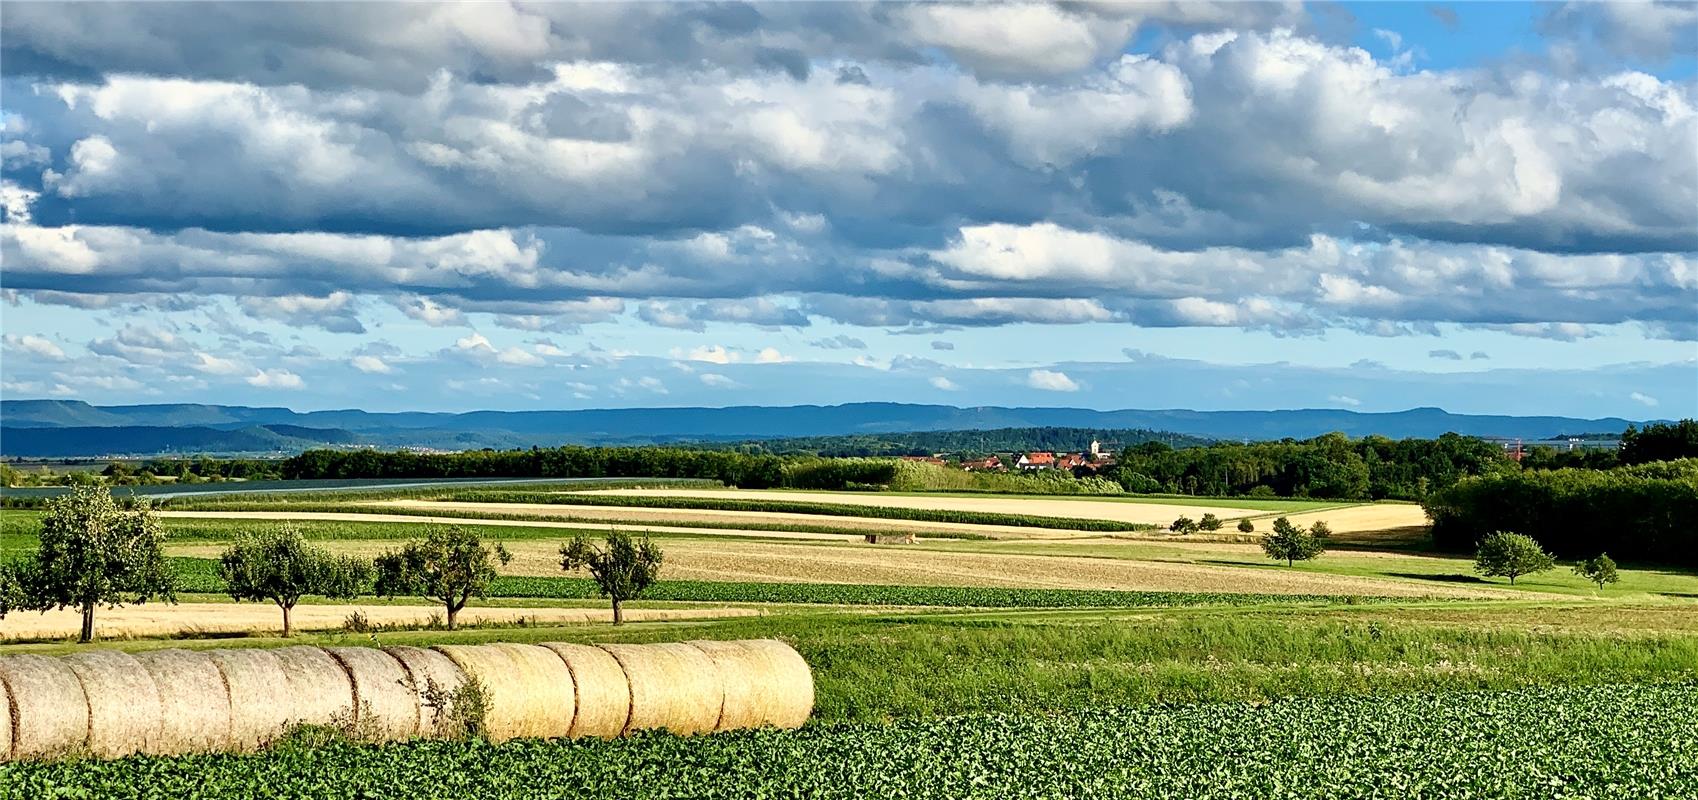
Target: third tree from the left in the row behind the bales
(449, 566)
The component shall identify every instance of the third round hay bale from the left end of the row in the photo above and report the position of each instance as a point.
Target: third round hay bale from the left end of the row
(194, 702)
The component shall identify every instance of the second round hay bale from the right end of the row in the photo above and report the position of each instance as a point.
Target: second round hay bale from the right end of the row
(673, 687)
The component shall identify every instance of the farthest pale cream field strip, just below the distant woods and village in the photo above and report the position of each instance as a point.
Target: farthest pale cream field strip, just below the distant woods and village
(1081, 509)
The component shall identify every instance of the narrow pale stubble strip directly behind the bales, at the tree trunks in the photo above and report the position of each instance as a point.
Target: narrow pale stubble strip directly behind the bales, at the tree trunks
(194, 619)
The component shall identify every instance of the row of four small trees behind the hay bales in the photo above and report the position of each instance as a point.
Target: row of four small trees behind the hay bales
(96, 555)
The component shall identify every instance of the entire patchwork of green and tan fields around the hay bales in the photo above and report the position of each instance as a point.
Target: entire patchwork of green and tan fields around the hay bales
(1057, 663)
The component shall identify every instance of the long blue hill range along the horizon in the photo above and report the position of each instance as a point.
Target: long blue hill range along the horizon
(52, 429)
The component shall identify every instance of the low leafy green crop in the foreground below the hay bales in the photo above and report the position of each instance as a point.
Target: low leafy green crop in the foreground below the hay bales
(1597, 741)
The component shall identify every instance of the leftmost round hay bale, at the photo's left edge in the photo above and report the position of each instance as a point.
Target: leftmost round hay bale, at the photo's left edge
(50, 713)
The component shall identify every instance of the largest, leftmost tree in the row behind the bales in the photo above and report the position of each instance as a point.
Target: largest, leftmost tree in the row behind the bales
(94, 555)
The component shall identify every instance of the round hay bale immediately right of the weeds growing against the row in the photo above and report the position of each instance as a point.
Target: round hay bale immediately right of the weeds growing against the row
(531, 690)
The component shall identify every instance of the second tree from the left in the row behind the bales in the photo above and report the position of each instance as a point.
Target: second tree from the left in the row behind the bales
(278, 565)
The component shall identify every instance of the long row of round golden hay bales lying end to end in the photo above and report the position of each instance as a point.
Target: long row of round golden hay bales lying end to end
(167, 702)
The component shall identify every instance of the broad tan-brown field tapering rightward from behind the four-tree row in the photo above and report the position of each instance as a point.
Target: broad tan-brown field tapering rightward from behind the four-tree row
(804, 563)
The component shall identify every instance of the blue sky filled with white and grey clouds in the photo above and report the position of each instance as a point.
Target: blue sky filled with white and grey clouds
(1487, 208)
